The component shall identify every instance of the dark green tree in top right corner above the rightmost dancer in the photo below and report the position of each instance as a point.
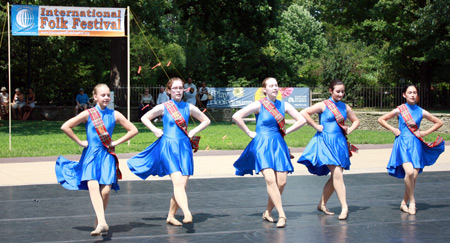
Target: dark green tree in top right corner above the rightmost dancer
(417, 35)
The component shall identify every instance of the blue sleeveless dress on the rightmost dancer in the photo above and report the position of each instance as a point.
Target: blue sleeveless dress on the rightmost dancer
(408, 148)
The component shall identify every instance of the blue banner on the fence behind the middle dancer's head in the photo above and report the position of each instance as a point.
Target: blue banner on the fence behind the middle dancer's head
(240, 97)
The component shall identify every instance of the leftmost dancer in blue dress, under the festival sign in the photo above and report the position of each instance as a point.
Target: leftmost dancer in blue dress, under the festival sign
(96, 170)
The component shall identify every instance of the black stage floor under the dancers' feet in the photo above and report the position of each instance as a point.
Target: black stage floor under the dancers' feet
(229, 210)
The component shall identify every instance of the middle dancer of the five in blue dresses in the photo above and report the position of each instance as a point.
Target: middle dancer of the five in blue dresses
(268, 152)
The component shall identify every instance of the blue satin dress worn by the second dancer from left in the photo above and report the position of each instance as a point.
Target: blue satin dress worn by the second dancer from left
(172, 152)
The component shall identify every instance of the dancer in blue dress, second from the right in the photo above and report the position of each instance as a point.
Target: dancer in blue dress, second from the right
(328, 150)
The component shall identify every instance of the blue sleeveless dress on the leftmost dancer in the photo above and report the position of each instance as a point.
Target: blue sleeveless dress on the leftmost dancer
(95, 162)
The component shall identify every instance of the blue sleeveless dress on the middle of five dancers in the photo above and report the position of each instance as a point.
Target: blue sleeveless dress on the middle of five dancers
(268, 149)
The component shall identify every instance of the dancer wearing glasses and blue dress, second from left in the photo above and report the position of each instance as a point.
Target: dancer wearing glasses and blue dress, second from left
(171, 154)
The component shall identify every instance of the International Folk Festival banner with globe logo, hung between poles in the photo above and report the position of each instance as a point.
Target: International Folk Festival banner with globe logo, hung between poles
(29, 20)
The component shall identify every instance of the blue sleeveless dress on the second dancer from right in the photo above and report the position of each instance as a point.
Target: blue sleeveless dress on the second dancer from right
(328, 147)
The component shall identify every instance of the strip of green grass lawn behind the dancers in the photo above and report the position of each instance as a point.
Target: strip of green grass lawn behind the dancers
(44, 138)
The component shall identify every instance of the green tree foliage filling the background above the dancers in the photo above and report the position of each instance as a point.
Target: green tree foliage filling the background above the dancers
(240, 42)
